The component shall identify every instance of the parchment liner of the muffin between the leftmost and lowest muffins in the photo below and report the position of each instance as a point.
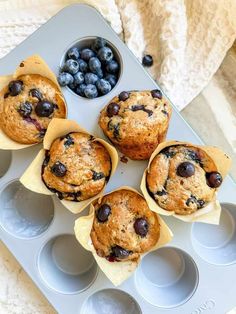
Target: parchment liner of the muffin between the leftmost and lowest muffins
(32, 177)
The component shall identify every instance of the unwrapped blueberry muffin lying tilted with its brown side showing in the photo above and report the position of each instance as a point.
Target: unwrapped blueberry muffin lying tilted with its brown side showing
(136, 122)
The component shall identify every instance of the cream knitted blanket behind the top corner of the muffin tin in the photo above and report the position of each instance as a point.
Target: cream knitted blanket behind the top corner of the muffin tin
(187, 39)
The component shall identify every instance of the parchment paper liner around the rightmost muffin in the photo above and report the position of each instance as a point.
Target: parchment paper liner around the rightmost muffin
(211, 212)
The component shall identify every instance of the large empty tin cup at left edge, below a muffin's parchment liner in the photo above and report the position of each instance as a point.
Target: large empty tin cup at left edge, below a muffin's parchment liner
(23, 213)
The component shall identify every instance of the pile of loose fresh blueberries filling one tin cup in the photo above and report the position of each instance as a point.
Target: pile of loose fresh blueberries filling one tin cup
(92, 70)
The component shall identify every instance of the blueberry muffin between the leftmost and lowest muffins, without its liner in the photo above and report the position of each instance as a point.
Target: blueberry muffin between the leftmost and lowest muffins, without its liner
(76, 167)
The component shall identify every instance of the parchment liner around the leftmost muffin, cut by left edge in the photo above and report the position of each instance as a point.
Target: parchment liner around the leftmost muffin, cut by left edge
(32, 65)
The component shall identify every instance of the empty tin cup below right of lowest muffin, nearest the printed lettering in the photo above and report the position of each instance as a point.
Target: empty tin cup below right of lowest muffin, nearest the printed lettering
(167, 277)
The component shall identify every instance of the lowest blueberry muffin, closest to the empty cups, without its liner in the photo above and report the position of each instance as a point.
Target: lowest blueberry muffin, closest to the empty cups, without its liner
(124, 227)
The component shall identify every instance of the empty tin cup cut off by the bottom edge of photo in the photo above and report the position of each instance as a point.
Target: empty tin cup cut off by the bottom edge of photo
(109, 301)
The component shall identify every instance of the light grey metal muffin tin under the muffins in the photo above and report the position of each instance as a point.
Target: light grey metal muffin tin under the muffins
(195, 274)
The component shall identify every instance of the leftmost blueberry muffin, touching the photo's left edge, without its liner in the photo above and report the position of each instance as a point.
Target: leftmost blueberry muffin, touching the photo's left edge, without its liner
(28, 105)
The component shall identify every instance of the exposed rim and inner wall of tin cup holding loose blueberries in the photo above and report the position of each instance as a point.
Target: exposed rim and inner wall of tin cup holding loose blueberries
(86, 42)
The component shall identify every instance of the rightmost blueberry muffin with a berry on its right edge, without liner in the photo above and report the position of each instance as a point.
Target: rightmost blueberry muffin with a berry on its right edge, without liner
(182, 179)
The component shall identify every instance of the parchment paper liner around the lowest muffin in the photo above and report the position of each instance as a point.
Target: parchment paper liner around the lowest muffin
(116, 272)
